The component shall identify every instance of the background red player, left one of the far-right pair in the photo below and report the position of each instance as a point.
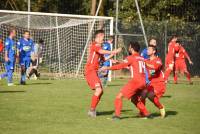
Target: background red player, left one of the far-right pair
(169, 61)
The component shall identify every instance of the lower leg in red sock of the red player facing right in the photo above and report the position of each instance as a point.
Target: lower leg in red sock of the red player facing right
(95, 100)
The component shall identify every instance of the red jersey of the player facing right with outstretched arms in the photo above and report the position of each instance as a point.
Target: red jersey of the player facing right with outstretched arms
(94, 57)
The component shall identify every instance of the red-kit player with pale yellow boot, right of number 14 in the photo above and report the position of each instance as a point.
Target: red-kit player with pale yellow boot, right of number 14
(156, 87)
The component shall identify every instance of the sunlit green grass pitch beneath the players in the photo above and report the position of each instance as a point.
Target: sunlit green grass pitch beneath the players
(60, 107)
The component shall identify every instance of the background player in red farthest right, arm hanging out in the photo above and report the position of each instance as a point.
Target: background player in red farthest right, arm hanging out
(180, 65)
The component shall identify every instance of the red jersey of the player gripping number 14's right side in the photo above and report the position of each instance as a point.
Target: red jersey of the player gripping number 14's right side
(155, 70)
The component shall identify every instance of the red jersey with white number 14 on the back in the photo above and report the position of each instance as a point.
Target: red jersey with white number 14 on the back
(136, 65)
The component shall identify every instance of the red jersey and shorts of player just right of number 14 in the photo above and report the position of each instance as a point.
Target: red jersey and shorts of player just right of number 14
(156, 77)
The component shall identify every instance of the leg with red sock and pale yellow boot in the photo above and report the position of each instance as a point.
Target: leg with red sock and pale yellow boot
(155, 100)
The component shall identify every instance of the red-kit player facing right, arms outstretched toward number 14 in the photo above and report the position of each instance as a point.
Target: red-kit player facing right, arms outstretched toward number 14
(91, 69)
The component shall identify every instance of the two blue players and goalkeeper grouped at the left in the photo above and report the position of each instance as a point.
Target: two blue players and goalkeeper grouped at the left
(24, 52)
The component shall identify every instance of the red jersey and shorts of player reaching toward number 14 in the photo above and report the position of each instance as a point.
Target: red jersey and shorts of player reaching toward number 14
(92, 66)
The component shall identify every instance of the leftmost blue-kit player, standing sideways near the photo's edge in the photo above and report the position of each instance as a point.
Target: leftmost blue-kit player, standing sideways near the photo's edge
(10, 49)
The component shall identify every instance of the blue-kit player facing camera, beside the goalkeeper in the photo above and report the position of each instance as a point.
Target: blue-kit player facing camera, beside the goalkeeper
(25, 50)
